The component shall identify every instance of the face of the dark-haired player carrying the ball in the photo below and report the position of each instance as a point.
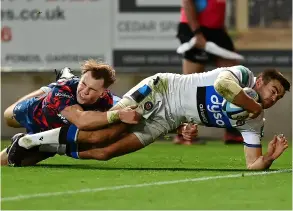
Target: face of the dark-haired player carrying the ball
(269, 93)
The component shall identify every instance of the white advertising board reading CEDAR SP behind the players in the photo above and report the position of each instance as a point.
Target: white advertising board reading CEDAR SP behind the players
(146, 24)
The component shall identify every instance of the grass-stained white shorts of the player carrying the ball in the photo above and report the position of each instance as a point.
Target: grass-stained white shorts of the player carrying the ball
(157, 119)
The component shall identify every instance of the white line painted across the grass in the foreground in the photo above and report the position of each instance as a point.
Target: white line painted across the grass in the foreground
(88, 190)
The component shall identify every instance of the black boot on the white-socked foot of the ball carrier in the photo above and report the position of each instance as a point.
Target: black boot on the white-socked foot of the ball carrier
(16, 152)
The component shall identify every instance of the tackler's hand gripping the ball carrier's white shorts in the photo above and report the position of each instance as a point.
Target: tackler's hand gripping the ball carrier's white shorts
(129, 115)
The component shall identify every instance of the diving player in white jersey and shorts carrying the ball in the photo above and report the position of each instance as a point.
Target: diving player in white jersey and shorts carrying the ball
(175, 99)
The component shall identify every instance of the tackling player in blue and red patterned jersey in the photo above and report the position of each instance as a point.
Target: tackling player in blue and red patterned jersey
(67, 102)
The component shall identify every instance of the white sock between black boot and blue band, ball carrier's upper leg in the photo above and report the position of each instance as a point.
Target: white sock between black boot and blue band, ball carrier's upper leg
(46, 137)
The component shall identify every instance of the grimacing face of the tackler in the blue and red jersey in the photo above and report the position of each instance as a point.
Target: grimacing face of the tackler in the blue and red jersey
(89, 89)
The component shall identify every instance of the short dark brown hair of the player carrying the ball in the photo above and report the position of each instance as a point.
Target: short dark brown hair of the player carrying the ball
(272, 74)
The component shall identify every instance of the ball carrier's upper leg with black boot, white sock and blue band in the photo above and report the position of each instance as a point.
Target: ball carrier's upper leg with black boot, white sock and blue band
(68, 136)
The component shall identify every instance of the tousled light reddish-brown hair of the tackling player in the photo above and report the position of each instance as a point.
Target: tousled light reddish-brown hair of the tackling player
(99, 70)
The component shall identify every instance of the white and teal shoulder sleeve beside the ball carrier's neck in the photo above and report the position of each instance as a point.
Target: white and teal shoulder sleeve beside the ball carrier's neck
(243, 74)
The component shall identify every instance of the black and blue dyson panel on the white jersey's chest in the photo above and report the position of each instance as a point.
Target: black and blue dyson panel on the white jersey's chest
(209, 104)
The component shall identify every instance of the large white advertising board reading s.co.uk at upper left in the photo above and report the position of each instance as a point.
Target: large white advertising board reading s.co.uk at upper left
(47, 34)
